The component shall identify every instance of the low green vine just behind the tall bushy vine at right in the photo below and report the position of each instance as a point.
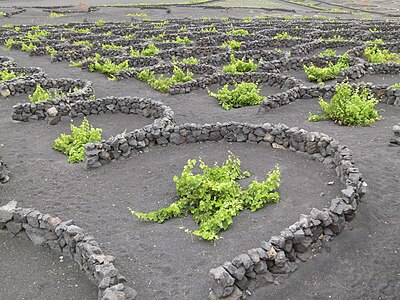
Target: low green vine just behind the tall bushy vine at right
(322, 74)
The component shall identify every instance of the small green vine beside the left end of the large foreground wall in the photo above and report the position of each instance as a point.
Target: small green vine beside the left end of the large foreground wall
(73, 145)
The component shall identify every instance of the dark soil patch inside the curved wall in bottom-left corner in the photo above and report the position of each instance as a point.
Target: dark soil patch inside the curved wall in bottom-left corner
(57, 279)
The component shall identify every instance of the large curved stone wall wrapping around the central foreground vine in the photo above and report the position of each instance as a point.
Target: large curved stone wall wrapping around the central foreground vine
(279, 255)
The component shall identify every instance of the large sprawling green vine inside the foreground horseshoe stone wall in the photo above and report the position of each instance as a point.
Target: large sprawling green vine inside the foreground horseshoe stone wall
(214, 197)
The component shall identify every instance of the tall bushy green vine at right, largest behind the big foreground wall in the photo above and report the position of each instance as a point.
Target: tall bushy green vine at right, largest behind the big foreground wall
(351, 106)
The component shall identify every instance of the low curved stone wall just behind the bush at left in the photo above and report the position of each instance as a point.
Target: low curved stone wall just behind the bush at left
(80, 108)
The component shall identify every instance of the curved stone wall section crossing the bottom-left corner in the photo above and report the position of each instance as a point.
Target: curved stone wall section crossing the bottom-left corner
(71, 241)
